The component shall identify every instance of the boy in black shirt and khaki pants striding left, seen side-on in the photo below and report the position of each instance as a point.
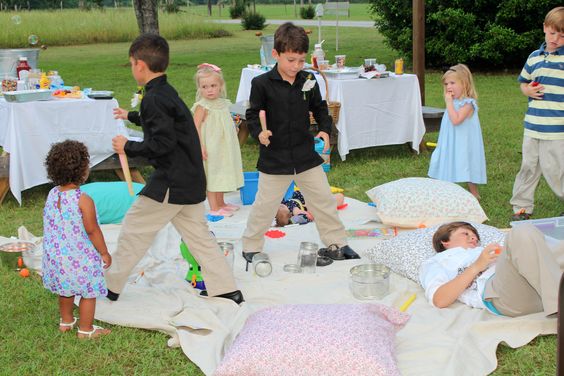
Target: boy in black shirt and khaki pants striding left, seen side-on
(177, 188)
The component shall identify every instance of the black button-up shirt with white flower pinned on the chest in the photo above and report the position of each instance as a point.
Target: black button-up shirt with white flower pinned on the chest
(287, 107)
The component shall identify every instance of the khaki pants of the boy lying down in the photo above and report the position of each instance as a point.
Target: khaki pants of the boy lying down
(527, 274)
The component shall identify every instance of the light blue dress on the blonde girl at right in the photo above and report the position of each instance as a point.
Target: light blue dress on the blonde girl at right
(459, 156)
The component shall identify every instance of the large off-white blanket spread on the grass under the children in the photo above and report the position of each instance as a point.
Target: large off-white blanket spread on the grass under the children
(455, 341)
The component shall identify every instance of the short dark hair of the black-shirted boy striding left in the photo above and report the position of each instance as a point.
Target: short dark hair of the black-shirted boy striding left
(153, 50)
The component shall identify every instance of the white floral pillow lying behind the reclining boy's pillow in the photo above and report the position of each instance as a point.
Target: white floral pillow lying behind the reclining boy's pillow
(415, 202)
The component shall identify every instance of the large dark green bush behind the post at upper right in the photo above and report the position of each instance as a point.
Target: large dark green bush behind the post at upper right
(483, 34)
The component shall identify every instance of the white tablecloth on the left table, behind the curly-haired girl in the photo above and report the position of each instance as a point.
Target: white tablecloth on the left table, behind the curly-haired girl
(27, 131)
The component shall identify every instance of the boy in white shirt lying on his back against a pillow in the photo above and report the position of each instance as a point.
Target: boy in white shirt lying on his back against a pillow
(518, 279)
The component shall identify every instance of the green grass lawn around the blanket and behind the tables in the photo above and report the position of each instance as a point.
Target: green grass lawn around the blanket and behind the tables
(31, 343)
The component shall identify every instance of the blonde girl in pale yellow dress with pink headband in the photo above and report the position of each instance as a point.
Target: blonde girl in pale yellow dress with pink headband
(218, 137)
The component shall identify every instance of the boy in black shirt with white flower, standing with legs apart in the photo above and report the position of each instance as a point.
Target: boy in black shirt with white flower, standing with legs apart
(285, 95)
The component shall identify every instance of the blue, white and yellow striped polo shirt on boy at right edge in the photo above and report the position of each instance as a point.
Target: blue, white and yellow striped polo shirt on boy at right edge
(545, 118)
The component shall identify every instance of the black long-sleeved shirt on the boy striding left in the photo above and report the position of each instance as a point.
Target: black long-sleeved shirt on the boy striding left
(171, 143)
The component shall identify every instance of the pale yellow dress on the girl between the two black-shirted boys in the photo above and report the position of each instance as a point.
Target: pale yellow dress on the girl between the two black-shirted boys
(224, 169)
